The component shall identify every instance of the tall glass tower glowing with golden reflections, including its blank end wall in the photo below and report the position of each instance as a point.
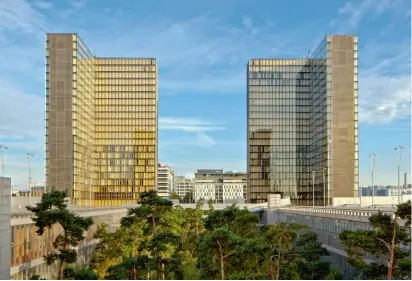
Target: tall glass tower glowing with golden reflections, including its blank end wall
(101, 123)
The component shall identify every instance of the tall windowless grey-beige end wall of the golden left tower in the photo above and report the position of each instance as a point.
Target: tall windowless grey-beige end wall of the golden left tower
(59, 121)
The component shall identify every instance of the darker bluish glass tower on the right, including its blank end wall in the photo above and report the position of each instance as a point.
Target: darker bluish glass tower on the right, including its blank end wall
(302, 125)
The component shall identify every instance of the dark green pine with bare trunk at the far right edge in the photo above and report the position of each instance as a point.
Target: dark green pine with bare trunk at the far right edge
(384, 242)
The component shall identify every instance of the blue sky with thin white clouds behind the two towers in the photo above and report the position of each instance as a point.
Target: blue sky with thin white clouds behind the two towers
(202, 48)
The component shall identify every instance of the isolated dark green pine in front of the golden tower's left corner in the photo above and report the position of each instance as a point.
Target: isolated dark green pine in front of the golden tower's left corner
(53, 210)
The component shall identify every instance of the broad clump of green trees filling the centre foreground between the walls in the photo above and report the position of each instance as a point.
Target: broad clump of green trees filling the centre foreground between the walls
(160, 241)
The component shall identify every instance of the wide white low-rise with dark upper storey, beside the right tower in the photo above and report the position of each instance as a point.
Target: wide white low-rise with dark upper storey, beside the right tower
(219, 186)
